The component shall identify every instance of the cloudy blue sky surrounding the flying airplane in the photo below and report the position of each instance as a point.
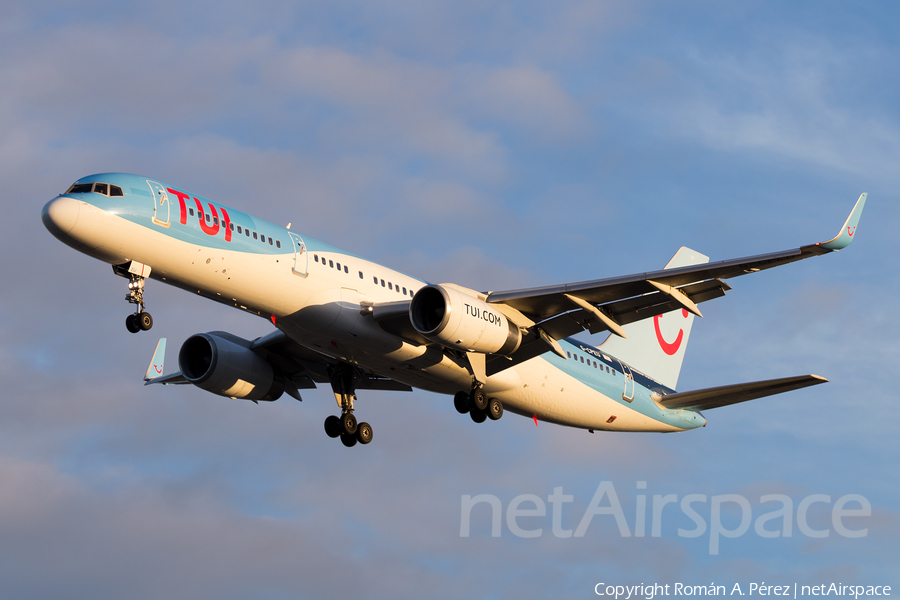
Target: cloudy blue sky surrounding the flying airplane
(495, 145)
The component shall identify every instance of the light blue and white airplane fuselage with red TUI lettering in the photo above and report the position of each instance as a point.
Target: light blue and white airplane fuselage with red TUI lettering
(316, 294)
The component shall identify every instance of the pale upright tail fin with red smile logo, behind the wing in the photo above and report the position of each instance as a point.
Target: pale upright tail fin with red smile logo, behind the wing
(656, 346)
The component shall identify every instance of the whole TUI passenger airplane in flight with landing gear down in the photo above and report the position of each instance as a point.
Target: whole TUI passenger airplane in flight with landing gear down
(345, 321)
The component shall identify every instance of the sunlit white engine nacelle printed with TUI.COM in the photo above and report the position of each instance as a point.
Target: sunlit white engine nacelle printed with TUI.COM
(456, 319)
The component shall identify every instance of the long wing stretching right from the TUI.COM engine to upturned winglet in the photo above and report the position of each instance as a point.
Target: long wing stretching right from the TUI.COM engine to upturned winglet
(607, 304)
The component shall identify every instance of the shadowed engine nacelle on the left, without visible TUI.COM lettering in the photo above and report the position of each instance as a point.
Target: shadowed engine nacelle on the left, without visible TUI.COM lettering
(222, 366)
